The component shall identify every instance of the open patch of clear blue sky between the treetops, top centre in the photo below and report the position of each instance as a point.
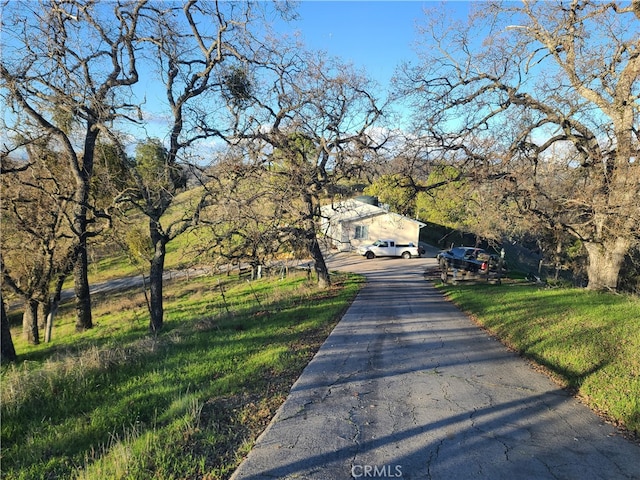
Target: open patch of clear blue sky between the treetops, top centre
(375, 35)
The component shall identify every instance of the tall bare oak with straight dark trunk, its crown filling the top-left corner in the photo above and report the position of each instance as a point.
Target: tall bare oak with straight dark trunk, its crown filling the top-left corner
(66, 66)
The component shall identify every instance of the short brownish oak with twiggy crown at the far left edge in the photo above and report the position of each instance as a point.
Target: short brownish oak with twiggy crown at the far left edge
(36, 236)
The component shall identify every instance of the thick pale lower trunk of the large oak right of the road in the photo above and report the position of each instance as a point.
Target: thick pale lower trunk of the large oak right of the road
(605, 261)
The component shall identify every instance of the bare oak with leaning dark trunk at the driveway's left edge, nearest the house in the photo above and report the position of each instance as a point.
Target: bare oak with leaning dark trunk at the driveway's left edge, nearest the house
(308, 120)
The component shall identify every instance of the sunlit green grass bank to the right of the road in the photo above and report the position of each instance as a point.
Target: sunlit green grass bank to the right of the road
(588, 341)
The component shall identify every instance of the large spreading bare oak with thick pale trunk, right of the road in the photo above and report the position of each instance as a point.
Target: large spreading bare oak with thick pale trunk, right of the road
(544, 96)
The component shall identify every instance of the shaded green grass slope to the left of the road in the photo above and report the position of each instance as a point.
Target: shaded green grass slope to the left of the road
(116, 402)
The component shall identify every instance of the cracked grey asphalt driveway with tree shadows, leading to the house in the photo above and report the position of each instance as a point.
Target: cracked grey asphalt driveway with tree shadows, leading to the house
(406, 386)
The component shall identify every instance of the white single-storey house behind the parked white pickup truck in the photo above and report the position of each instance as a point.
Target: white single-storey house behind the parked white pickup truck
(351, 223)
